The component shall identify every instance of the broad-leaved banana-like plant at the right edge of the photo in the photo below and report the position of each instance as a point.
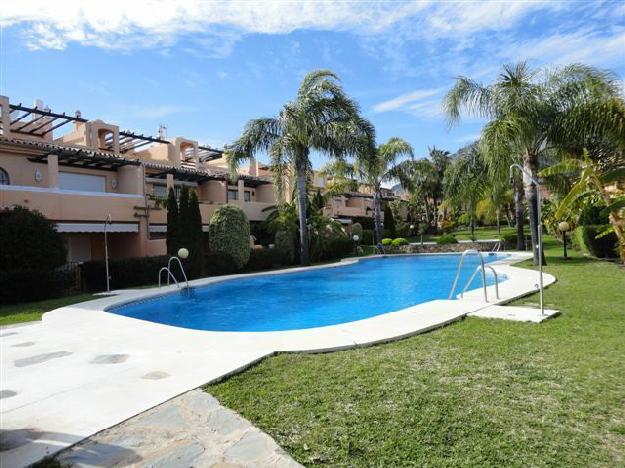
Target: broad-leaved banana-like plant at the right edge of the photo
(592, 180)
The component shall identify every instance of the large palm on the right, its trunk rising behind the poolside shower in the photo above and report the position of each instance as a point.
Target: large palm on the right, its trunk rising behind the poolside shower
(525, 109)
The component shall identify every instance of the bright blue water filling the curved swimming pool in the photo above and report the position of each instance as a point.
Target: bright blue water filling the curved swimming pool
(312, 298)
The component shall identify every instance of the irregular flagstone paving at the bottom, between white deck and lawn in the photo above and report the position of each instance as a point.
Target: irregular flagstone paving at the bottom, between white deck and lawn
(190, 430)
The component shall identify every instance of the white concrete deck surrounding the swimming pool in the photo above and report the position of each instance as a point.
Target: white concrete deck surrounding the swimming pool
(82, 370)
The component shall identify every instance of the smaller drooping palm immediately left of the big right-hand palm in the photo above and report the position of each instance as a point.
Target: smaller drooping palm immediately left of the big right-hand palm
(465, 184)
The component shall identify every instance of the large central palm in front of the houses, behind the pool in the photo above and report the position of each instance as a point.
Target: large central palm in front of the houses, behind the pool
(321, 118)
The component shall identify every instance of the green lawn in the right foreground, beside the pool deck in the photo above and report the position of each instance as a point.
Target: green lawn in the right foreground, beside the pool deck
(476, 393)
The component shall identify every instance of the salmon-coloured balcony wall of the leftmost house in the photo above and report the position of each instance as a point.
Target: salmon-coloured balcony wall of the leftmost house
(70, 205)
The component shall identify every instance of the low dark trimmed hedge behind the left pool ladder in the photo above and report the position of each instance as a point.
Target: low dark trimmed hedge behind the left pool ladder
(125, 273)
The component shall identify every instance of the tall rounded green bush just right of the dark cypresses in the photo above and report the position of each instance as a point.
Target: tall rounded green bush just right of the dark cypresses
(229, 232)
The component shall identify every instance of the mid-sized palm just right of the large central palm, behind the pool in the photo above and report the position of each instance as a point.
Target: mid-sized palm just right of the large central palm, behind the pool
(374, 166)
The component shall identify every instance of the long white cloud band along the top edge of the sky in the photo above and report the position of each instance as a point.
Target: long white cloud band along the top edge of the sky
(216, 25)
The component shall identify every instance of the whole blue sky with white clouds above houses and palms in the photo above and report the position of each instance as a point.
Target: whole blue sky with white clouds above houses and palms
(204, 68)
